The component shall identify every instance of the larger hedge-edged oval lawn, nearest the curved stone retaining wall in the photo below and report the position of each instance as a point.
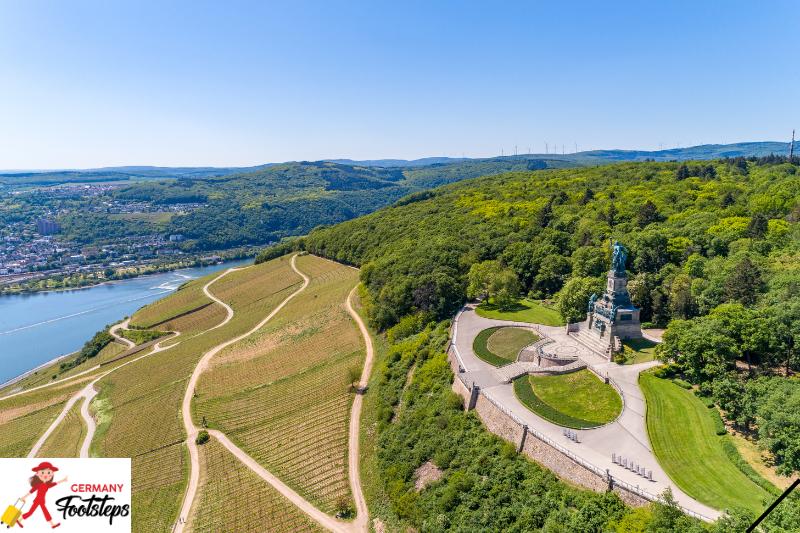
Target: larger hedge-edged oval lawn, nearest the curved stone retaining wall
(577, 400)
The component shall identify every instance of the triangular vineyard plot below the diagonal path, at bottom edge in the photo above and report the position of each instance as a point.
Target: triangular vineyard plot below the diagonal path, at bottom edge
(233, 498)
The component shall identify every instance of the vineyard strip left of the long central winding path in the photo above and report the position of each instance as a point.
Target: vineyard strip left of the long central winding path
(138, 407)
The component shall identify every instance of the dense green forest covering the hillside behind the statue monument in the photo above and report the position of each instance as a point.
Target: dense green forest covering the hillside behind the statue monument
(714, 256)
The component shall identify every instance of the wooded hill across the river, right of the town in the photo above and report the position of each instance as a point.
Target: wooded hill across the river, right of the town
(268, 203)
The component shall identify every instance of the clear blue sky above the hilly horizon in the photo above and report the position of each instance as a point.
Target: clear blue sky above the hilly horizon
(97, 83)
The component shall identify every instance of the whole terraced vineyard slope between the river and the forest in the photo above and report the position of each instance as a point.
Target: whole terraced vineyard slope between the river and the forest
(283, 394)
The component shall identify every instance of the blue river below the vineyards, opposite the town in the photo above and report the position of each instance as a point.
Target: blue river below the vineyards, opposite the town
(36, 328)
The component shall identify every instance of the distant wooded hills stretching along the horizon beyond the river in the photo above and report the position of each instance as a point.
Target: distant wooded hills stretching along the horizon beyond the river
(262, 204)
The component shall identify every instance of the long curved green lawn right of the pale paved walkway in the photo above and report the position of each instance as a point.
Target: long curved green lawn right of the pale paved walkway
(682, 435)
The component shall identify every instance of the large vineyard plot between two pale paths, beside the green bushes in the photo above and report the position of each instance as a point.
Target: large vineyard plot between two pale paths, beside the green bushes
(283, 394)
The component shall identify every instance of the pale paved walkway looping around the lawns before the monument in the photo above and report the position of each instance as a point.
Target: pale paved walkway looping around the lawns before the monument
(626, 436)
